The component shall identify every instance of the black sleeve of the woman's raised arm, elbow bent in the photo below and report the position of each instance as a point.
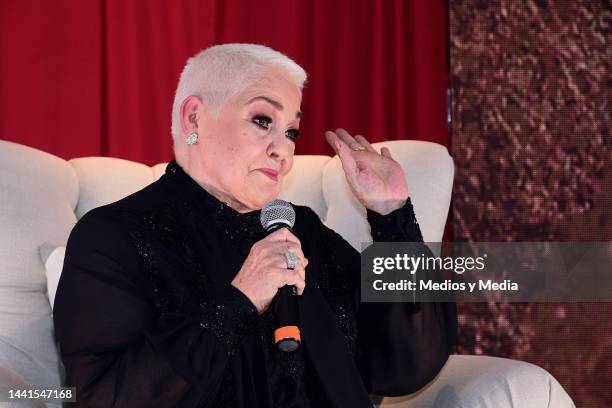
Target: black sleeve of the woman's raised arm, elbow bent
(402, 346)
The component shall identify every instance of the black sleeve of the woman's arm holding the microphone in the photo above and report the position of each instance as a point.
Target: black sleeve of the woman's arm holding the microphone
(115, 347)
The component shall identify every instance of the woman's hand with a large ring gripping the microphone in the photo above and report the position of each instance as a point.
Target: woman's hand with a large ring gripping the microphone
(265, 271)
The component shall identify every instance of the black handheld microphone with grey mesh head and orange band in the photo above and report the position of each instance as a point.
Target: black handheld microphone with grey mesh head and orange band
(275, 215)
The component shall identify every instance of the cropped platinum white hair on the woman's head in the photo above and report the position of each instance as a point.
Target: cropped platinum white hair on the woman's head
(220, 72)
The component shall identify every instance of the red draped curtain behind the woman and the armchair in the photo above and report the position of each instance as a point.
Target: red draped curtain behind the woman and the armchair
(97, 77)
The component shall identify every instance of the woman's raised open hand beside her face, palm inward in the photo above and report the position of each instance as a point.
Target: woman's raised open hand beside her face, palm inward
(375, 179)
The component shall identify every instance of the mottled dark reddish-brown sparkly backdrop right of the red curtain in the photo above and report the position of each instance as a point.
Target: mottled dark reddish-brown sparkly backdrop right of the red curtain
(531, 105)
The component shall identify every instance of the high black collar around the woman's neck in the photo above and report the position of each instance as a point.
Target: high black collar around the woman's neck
(235, 224)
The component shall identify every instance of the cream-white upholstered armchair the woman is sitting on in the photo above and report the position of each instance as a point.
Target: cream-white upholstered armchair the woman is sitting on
(42, 196)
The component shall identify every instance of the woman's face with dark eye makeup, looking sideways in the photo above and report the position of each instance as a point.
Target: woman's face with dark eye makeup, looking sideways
(248, 150)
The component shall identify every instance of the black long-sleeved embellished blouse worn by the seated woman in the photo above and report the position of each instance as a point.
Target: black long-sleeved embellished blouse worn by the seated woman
(145, 314)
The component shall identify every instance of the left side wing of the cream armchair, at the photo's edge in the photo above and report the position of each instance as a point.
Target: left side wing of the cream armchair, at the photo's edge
(38, 194)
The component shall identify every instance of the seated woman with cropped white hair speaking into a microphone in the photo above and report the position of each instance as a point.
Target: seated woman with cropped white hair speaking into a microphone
(166, 297)
